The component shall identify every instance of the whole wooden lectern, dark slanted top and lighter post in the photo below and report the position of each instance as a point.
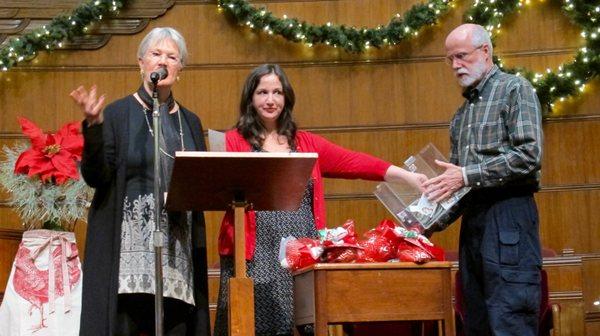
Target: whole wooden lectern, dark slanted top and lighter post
(205, 181)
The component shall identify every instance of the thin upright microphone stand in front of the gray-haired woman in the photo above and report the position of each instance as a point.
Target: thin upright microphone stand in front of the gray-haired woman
(157, 234)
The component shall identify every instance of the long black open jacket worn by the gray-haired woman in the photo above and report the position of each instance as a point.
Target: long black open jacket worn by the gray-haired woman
(103, 167)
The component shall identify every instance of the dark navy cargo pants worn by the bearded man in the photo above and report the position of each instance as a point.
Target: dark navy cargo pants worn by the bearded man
(500, 262)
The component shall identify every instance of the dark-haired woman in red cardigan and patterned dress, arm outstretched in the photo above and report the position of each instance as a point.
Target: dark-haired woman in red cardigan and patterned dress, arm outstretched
(266, 124)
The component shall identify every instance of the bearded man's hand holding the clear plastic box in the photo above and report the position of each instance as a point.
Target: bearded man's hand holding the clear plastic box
(443, 186)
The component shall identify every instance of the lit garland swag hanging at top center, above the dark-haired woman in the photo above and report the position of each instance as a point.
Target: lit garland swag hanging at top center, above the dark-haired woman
(349, 38)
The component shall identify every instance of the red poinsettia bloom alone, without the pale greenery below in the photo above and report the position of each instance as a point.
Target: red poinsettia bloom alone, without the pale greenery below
(52, 157)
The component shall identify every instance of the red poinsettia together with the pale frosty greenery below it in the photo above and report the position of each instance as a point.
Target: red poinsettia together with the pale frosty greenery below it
(42, 179)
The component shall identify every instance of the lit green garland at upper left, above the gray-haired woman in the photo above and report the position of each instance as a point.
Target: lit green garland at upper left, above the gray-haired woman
(61, 28)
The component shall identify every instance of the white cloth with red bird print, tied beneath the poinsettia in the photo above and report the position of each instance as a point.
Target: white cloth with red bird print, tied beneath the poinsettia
(43, 293)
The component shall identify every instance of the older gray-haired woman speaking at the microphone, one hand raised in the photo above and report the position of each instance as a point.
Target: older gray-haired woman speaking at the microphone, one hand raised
(118, 157)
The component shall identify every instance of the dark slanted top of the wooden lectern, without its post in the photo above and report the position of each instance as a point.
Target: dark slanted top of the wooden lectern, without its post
(213, 180)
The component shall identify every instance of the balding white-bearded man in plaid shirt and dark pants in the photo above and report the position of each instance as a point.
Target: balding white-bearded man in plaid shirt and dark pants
(496, 149)
